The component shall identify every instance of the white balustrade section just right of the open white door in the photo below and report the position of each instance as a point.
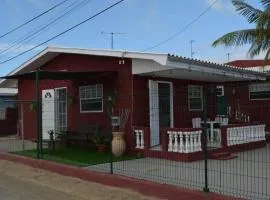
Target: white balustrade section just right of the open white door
(184, 141)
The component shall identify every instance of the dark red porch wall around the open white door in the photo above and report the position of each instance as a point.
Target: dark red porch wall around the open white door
(182, 115)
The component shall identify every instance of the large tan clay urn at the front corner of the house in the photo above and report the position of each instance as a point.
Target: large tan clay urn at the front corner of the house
(118, 144)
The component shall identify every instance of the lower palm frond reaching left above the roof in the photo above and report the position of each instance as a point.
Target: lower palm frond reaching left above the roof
(237, 38)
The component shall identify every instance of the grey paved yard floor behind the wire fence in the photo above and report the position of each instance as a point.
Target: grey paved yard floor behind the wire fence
(246, 176)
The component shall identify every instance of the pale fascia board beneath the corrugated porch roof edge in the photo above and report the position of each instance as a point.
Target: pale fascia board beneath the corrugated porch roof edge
(204, 69)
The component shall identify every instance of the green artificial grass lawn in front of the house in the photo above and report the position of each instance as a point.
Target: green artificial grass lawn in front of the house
(76, 157)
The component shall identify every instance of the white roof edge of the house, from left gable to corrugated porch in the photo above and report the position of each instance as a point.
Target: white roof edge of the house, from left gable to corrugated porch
(163, 59)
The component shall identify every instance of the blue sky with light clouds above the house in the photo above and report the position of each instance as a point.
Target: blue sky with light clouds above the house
(144, 24)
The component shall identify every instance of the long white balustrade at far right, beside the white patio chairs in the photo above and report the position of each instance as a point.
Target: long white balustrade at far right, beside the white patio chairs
(245, 134)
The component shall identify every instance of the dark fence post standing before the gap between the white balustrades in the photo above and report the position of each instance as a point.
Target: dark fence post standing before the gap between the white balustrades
(205, 107)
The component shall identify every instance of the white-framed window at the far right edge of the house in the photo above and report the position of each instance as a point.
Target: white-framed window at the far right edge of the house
(259, 91)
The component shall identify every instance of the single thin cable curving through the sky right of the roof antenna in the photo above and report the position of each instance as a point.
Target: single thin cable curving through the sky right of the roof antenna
(183, 29)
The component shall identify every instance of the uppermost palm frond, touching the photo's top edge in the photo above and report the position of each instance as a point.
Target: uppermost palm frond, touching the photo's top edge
(252, 14)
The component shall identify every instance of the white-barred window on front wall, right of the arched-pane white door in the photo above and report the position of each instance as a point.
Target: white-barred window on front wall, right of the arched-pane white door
(91, 98)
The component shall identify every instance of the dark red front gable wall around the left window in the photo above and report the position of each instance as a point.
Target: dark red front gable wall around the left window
(120, 81)
